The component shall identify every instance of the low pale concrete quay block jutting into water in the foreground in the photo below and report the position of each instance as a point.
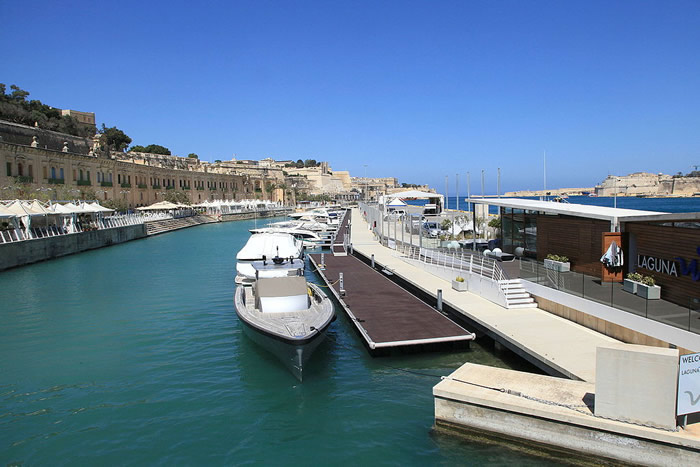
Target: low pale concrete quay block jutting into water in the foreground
(552, 412)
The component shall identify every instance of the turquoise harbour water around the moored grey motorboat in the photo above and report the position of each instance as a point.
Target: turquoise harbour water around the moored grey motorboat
(133, 354)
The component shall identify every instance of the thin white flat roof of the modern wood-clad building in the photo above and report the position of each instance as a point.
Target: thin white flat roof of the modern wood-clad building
(568, 209)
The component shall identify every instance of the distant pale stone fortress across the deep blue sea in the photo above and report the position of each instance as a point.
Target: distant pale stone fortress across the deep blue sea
(641, 184)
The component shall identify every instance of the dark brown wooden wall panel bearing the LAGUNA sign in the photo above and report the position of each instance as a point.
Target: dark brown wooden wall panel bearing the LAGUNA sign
(668, 243)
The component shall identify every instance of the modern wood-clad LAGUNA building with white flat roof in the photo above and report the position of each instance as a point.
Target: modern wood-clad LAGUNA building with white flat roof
(665, 246)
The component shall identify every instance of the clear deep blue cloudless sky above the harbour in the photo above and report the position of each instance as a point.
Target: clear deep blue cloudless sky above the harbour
(414, 89)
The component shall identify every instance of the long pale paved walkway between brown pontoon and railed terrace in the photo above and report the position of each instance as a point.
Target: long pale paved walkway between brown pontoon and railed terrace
(553, 342)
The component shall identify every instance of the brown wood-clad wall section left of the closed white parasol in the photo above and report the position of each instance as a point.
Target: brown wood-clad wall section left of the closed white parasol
(578, 238)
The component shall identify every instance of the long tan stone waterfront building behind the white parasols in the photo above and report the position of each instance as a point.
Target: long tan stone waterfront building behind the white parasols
(32, 163)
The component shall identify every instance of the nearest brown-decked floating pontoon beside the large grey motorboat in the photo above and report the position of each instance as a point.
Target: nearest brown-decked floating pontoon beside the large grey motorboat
(386, 315)
